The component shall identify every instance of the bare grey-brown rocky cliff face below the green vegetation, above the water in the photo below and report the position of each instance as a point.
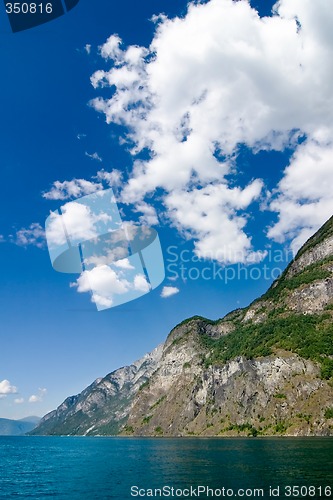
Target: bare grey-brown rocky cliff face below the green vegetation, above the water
(278, 394)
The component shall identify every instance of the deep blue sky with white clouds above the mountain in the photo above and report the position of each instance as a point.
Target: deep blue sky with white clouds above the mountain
(232, 149)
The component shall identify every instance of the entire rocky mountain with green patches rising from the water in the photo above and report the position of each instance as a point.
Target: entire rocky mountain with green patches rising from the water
(263, 370)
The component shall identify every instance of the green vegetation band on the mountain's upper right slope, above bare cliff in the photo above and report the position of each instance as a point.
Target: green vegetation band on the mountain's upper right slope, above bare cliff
(310, 336)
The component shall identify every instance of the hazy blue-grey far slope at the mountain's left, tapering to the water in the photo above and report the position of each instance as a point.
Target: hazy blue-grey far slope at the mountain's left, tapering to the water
(102, 407)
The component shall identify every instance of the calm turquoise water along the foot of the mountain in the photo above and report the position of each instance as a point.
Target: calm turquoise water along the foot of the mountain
(100, 468)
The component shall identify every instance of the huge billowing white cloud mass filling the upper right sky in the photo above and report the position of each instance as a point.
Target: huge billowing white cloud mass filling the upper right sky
(218, 77)
